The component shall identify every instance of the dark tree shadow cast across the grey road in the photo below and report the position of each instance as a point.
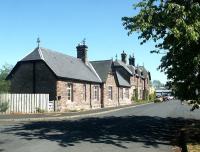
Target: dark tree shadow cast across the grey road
(151, 131)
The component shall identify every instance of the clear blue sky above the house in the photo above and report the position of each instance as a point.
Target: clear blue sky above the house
(62, 24)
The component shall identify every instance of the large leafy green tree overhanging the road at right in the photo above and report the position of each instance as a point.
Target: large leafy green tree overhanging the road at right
(174, 26)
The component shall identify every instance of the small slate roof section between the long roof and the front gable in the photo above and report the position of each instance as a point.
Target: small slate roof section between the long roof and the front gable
(102, 68)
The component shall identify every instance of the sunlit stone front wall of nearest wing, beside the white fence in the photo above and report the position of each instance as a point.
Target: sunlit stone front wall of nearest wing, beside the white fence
(81, 100)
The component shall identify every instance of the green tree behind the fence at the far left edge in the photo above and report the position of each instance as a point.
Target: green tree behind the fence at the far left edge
(4, 71)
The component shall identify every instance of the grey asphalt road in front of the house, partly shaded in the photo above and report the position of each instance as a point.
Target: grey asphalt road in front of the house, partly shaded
(147, 128)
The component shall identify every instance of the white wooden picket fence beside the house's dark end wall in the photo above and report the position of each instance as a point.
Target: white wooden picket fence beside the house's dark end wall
(26, 103)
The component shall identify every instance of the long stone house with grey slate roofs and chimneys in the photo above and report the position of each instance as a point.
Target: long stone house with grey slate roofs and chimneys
(77, 83)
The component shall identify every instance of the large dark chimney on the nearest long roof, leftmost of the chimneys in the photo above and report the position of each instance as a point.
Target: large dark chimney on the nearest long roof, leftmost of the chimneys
(82, 51)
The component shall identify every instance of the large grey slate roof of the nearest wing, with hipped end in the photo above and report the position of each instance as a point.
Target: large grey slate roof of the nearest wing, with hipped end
(64, 66)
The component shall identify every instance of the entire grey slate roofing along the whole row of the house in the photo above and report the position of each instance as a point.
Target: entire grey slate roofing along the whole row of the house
(64, 66)
